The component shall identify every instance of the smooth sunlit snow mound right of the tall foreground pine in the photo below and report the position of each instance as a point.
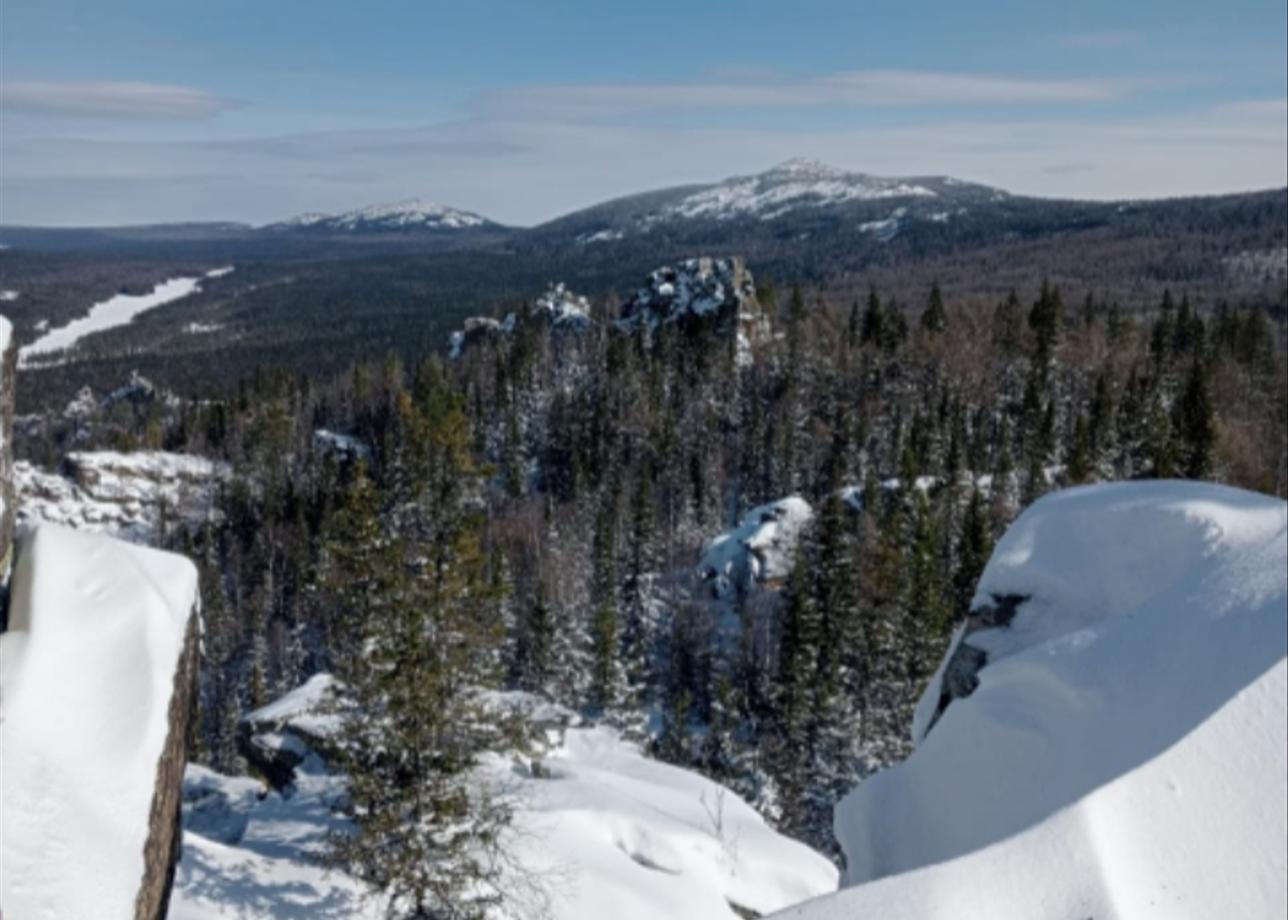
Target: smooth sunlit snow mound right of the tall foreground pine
(630, 838)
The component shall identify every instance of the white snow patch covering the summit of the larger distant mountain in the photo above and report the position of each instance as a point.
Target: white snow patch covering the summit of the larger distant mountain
(797, 184)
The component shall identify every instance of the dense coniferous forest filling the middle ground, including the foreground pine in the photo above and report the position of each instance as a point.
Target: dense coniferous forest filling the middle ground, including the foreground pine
(540, 506)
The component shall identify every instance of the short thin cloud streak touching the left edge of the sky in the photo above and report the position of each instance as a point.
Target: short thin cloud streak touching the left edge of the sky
(111, 100)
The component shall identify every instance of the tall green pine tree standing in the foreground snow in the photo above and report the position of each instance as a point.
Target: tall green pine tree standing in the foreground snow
(427, 833)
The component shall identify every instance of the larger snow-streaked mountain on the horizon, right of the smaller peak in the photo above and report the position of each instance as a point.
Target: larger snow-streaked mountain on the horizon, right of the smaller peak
(797, 189)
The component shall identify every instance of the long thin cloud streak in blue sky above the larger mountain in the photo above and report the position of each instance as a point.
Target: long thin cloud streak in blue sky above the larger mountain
(766, 91)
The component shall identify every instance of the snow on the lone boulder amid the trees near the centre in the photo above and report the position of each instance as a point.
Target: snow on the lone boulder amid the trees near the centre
(762, 548)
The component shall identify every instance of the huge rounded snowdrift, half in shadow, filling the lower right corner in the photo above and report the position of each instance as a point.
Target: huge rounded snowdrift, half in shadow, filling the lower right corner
(1125, 753)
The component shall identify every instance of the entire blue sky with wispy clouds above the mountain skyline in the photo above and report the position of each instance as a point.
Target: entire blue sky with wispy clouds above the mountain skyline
(115, 113)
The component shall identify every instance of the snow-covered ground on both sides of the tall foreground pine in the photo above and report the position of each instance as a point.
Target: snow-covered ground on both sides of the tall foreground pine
(601, 829)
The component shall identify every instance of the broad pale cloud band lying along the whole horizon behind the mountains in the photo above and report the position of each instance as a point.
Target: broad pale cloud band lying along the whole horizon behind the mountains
(540, 169)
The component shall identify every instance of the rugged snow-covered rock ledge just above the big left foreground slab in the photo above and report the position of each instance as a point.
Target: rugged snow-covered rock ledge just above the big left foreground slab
(127, 495)
